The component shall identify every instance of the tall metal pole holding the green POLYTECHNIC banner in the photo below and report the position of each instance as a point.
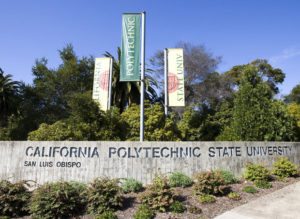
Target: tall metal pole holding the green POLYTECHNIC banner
(142, 78)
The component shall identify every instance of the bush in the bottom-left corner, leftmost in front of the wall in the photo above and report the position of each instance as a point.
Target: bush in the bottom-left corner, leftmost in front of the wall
(14, 199)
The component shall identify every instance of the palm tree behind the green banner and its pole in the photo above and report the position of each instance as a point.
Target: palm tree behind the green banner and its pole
(126, 93)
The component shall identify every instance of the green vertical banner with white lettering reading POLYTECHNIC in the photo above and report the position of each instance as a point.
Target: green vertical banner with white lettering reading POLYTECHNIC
(131, 47)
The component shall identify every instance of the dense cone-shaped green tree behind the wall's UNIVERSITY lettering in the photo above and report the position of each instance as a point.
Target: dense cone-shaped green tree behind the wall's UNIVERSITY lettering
(256, 116)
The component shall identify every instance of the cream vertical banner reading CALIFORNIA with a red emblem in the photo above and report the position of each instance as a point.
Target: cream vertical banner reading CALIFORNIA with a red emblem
(101, 82)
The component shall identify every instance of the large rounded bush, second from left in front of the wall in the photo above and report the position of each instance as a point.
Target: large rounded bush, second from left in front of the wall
(58, 200)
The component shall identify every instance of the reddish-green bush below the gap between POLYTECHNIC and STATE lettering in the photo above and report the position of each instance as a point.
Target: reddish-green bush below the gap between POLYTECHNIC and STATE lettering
(209, 183)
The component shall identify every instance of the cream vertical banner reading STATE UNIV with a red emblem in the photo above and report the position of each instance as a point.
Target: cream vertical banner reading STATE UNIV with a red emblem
(175, 77)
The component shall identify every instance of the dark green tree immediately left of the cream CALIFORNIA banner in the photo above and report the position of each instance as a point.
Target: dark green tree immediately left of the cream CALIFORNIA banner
(54, 87)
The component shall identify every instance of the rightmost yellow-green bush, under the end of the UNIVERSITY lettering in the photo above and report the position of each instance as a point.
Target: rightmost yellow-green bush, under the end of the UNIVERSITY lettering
(284, 168)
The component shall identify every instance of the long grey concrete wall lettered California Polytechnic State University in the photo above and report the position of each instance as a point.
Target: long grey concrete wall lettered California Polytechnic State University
(86, 160)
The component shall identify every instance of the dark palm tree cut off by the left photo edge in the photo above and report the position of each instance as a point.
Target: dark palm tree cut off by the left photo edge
(8, 91)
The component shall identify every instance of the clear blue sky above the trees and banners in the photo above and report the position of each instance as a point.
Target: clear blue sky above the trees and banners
(238, 30)
